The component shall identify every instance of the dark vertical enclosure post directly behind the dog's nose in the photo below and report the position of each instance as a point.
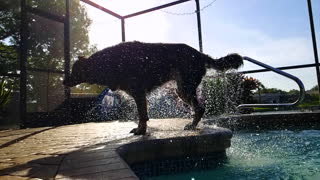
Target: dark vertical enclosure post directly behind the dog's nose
(67, 48)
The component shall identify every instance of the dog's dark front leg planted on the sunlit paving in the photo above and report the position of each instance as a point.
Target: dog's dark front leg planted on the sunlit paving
(141, 101)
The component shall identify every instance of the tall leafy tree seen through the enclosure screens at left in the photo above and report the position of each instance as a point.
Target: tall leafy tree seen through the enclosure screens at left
(45, 43)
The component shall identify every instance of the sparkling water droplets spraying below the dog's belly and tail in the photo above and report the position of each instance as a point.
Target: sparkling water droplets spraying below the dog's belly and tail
(220, 94)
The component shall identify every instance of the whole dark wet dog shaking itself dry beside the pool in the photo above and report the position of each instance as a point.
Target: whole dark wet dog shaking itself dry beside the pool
(137, 68)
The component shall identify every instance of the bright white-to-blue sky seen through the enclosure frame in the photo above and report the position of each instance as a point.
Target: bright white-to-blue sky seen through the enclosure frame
(276, 32)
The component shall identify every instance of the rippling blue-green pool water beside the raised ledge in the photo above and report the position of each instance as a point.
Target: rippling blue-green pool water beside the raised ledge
(265, 155)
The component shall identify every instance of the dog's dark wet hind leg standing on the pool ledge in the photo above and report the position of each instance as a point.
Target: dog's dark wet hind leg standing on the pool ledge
(187, 92)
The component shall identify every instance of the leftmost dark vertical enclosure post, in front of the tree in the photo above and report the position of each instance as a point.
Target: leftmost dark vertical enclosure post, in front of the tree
(23, 63)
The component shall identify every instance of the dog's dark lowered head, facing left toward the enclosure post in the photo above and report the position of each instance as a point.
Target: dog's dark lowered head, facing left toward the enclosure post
(78, 73)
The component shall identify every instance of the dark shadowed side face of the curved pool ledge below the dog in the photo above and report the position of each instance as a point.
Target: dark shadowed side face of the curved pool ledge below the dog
(211, 144)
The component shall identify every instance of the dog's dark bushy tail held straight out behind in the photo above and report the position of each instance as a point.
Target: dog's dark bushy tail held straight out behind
(231, 61)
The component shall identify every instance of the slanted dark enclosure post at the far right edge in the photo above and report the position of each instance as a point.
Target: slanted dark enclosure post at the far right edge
(314, 42)
